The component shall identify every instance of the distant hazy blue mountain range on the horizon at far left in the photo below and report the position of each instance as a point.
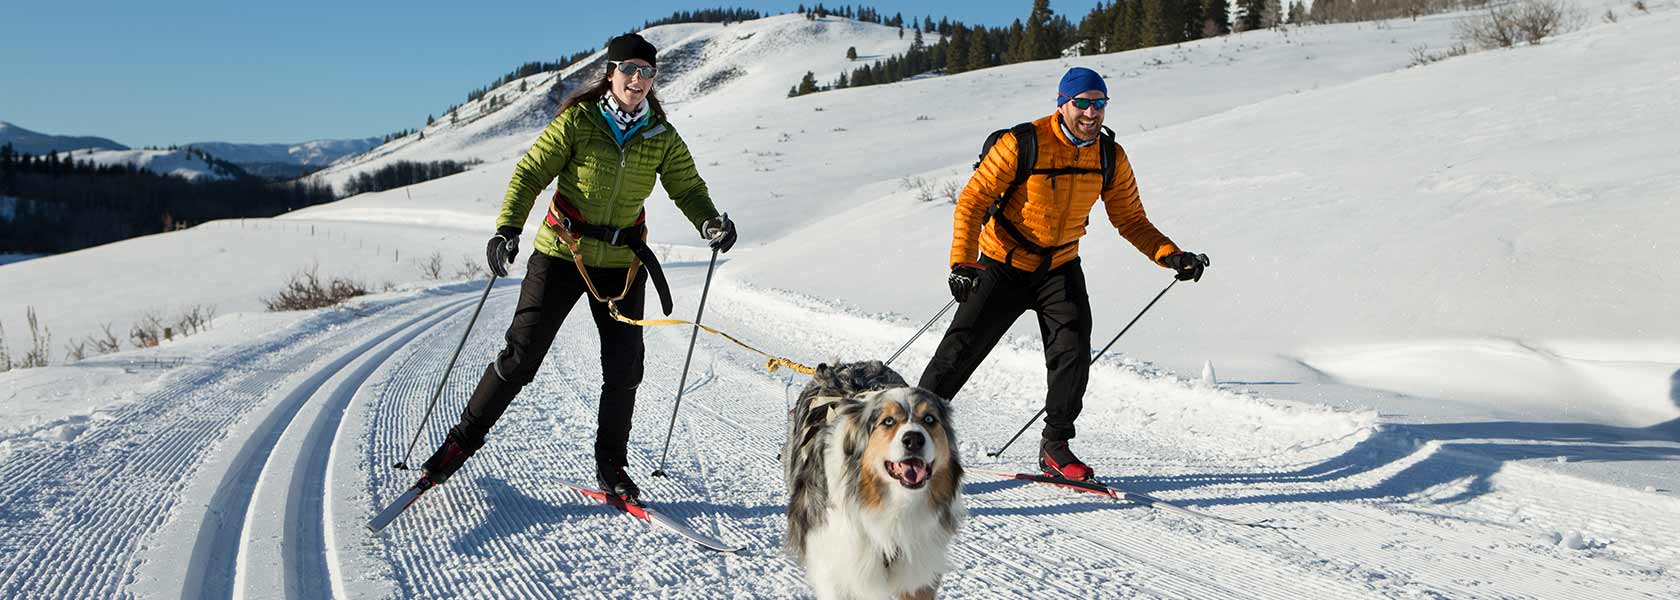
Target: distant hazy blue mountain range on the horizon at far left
(266, 161)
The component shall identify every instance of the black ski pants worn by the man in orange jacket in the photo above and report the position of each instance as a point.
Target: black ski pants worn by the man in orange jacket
(1064, 322)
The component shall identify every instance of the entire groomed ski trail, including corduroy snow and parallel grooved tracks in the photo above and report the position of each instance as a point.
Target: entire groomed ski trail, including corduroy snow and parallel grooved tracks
(325, 408)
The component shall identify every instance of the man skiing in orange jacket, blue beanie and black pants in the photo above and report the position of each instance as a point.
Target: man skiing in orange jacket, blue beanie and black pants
(1029, 253)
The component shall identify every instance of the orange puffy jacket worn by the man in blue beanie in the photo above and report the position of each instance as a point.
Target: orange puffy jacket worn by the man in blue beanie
(1053, 211)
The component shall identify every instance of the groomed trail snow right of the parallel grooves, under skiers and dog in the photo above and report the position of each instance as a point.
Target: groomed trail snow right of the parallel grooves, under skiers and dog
(507, 527)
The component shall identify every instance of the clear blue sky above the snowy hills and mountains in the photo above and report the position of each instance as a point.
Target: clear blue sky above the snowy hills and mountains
(162, 73)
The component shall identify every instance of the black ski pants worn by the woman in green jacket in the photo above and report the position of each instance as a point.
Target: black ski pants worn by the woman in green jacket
(552, 288)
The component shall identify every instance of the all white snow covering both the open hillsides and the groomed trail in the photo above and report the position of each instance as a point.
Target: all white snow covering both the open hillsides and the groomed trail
(1439, 308)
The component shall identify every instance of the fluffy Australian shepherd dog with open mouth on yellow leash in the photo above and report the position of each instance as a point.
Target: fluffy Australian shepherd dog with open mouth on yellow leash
(874, 485)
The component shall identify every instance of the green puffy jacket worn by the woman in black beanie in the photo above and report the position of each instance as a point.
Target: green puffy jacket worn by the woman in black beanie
(607, 184)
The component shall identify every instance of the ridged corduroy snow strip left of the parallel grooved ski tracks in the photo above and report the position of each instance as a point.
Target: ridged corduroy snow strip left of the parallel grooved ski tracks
(81, 515)
